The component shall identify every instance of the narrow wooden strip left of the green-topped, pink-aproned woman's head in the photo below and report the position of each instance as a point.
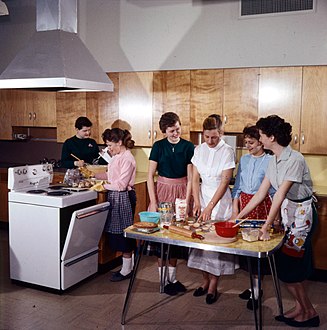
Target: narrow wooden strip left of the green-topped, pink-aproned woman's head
(159, 102)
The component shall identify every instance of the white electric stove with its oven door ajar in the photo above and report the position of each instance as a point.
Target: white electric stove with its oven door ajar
(53, 234)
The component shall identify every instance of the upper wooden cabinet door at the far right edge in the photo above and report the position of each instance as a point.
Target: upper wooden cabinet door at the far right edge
(314, 110)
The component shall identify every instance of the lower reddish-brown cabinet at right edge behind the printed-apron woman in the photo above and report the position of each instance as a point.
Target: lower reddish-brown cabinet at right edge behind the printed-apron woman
(319, 242)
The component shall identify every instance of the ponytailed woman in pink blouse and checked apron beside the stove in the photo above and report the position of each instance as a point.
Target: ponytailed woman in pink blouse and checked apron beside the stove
(121, 196)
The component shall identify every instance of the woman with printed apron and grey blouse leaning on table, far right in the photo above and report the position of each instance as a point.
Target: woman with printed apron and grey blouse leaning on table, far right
(289, 174)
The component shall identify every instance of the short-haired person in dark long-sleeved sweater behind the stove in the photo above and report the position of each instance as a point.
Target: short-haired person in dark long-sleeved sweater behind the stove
(80, 145)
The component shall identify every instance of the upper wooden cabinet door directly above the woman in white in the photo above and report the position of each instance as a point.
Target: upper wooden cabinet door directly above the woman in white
(206, 96)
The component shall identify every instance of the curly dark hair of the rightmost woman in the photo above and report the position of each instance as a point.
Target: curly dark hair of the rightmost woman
(276, 126)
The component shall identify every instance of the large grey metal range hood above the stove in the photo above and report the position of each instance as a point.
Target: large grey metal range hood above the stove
(55, 58)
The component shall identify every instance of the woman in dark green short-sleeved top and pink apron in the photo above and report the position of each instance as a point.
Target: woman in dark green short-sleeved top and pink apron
(171, 157)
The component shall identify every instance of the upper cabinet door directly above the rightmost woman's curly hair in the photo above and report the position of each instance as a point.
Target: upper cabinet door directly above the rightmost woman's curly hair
(280, 94)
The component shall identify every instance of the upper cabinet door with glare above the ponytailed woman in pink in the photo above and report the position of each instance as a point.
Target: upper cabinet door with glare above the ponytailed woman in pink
(135, 104)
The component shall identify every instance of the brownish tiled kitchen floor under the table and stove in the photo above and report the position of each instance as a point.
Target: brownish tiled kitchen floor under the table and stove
(97, 303)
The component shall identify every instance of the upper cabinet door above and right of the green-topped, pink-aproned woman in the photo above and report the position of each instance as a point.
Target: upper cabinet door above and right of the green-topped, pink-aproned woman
(178, 97)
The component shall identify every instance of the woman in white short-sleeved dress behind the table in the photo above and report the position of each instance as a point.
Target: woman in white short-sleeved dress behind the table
(213, 163)
